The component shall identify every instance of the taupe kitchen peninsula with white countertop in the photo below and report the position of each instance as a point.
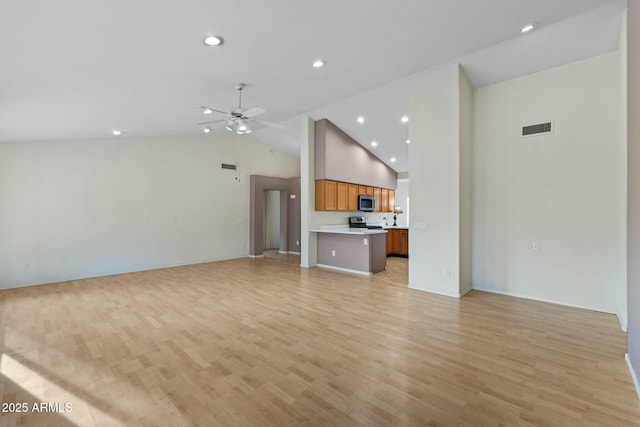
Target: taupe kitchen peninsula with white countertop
(354, 250)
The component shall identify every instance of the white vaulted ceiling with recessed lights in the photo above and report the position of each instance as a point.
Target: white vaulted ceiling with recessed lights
(77, 69)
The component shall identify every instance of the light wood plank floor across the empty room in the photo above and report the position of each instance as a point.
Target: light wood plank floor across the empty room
(256, 342)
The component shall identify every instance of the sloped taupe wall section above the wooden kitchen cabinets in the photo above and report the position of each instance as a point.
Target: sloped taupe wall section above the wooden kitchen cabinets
(338, 157)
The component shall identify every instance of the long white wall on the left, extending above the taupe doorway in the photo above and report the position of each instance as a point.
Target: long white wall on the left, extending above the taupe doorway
(89, 208)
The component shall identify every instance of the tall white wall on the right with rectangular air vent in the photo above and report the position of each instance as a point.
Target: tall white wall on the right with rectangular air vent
(561, 190)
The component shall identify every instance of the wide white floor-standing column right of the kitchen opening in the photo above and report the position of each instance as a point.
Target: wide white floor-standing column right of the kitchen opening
(440, 190)
